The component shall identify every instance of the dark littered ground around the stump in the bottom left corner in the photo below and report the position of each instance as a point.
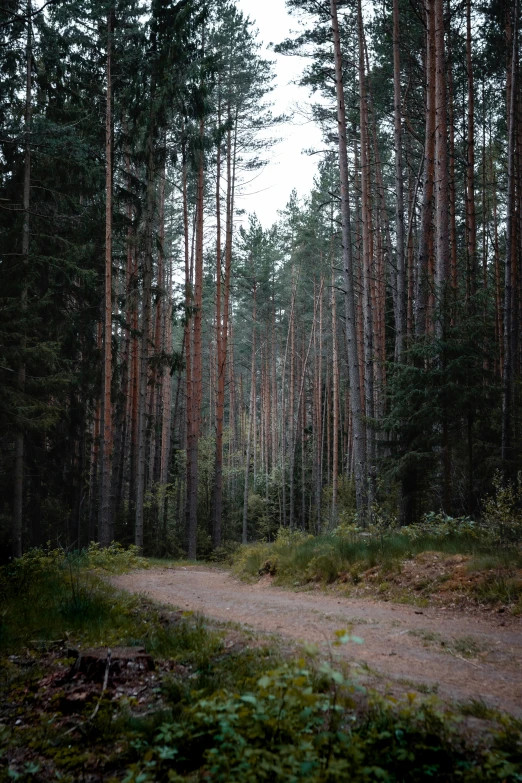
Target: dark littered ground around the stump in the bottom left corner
(50, 699)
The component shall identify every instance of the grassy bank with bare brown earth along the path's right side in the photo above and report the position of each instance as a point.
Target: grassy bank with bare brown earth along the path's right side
(377, 559)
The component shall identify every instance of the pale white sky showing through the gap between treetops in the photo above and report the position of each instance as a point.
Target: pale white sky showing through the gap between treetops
(289, 167)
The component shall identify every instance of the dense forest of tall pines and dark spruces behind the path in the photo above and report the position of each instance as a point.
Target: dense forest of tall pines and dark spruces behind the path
(175, 375)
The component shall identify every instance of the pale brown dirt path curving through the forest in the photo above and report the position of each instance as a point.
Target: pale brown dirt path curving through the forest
(459, 655)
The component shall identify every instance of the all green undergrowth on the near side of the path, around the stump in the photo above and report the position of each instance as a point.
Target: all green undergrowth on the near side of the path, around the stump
(224, 707)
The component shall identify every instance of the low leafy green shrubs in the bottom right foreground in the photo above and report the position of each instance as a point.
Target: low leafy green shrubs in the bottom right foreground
(297, 724)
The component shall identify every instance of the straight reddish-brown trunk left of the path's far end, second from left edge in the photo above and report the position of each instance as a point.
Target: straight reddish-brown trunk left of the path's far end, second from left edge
(105, 526)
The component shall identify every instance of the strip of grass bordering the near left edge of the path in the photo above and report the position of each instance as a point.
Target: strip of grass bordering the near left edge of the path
(49, 596)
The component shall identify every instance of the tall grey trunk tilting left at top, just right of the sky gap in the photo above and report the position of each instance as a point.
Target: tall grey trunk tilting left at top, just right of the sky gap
(359, 435)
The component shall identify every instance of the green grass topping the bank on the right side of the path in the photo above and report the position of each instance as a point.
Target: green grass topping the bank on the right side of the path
(348, 555)
